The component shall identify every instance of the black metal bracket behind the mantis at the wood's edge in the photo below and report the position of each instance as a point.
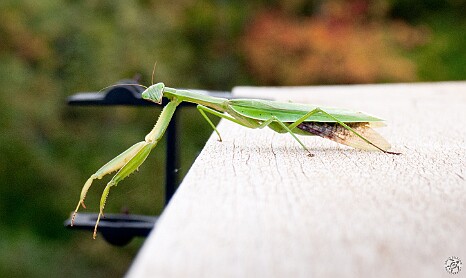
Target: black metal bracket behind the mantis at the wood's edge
(119, 229)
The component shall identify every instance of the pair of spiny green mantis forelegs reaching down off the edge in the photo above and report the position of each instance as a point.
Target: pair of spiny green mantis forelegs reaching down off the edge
(128, 161)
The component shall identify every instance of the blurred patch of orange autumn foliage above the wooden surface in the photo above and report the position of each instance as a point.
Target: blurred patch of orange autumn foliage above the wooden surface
(286, 50)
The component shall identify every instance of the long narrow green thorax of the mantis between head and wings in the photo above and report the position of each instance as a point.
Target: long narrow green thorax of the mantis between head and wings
(205, 100)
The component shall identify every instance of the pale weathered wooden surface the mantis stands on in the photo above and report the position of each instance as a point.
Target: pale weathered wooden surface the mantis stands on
(255, 205)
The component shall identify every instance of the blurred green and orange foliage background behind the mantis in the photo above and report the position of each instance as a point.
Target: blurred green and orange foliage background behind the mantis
(52, 49)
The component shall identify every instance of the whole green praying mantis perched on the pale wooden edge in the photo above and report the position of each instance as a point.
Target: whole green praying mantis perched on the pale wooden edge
(343, 126)
